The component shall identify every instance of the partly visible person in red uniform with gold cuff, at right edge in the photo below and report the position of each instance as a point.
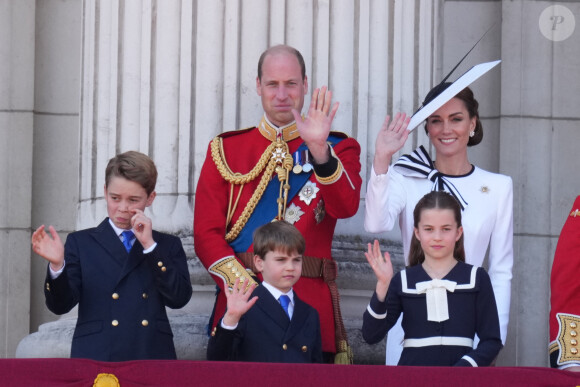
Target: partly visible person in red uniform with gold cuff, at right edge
(565, 296)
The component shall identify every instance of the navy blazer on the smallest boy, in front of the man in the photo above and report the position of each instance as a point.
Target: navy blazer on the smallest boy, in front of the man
(266, 334)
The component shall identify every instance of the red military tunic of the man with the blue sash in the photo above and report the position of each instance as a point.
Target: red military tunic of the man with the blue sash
(242, 150)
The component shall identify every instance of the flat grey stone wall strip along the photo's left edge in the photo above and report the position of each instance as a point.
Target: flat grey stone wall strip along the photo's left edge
(16, 126)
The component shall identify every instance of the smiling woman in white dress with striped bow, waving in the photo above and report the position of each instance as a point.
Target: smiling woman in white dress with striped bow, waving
(486, 198)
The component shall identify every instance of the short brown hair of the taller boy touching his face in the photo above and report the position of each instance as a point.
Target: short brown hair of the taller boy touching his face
(133, 166)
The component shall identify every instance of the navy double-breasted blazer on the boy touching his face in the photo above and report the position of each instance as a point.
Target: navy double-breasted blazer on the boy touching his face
(122, 296)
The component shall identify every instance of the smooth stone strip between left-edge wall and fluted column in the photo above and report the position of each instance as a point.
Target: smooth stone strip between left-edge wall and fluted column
(55, 182)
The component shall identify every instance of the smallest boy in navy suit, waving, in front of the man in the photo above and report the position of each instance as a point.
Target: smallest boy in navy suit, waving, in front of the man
(274, 325)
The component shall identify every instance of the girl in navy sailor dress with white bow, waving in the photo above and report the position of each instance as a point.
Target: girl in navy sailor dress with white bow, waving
(444, 301)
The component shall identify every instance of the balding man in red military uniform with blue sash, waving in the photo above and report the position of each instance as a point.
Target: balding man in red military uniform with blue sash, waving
(288, 167)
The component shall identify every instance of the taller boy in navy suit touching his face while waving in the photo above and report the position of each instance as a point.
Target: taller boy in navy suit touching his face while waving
(122, 273)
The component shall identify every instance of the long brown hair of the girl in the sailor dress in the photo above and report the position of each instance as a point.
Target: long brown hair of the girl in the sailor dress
(435, 200)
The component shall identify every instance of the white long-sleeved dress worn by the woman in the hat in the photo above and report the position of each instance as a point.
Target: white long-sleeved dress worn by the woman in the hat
(487, 222)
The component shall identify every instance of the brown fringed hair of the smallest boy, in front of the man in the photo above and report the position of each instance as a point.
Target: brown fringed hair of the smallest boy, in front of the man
(278, 235)
